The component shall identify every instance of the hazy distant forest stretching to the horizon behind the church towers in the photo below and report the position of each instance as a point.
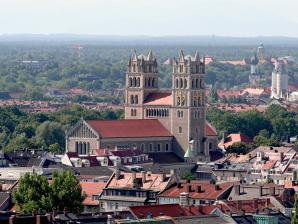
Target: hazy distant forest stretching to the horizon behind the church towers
(98, 67)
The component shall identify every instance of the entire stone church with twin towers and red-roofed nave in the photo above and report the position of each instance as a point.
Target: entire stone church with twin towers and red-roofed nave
(156, 121)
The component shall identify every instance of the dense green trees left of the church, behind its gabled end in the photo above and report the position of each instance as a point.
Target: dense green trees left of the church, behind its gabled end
(19, 130)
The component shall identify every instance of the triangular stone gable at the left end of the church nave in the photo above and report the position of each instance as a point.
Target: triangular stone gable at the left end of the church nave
(82, 130)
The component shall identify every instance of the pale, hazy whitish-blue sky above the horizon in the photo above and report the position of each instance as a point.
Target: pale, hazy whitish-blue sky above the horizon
(150, 17)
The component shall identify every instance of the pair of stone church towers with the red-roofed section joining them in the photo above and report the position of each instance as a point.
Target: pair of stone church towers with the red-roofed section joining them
(181, 110)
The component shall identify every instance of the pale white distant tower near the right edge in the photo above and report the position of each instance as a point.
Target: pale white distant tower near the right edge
(279, 85)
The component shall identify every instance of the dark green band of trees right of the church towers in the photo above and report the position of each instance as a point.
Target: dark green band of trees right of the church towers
(268, 128)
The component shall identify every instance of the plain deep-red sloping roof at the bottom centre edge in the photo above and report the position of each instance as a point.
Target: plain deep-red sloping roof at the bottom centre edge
(172, 210)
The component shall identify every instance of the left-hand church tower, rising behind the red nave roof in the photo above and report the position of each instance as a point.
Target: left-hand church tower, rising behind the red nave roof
(141, 79)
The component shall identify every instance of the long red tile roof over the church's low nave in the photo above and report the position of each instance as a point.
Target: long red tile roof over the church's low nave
(129, 128)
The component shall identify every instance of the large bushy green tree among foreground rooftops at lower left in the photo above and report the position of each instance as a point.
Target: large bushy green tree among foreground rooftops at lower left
(35, 193)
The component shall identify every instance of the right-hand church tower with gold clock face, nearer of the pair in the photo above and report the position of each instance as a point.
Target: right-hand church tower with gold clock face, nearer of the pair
(188, 110)
